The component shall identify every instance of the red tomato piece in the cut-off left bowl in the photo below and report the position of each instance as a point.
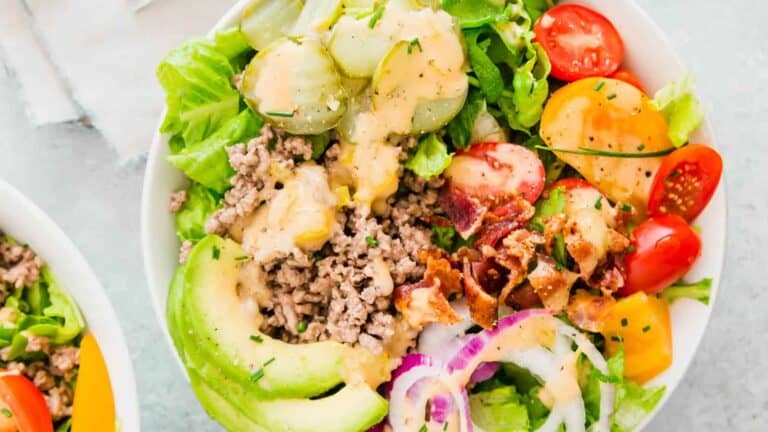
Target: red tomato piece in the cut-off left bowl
(25, 403)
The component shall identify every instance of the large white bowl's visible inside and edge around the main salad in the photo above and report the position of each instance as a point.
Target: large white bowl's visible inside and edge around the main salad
(648, 54)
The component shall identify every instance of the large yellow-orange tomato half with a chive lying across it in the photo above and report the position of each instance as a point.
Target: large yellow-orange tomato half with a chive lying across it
(608, 115)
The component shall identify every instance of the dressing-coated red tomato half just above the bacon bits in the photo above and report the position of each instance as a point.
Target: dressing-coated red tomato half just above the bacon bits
(498, 170)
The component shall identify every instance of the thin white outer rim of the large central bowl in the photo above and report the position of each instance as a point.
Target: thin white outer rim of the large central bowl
(718, 205)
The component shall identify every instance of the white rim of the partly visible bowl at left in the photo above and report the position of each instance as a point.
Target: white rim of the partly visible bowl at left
(24, 221)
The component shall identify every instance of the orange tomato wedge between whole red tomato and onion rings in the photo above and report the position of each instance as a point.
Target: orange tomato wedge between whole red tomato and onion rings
(642, 323)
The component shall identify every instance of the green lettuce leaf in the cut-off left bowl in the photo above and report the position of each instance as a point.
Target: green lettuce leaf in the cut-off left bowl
(63, 308)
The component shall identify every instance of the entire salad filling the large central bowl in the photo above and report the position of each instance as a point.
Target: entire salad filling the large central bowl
(422, 216)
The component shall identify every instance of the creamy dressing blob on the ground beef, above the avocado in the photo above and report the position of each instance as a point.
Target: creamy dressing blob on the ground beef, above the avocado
(301, 215)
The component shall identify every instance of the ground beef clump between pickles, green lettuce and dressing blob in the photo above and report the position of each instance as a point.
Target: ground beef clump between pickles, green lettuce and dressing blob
(254, 182)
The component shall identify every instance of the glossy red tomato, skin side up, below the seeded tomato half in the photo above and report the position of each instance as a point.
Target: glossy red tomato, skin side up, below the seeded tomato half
(665, 248)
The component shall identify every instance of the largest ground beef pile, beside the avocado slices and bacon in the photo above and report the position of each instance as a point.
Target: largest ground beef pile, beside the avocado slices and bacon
(339, 293)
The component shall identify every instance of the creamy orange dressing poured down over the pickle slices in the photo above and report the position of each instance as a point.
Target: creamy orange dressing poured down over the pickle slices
(409, 76)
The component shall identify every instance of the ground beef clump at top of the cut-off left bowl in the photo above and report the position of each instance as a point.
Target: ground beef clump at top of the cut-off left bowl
(19, 266)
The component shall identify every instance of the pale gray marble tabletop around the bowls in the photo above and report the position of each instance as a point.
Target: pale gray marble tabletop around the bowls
(69, 171)
